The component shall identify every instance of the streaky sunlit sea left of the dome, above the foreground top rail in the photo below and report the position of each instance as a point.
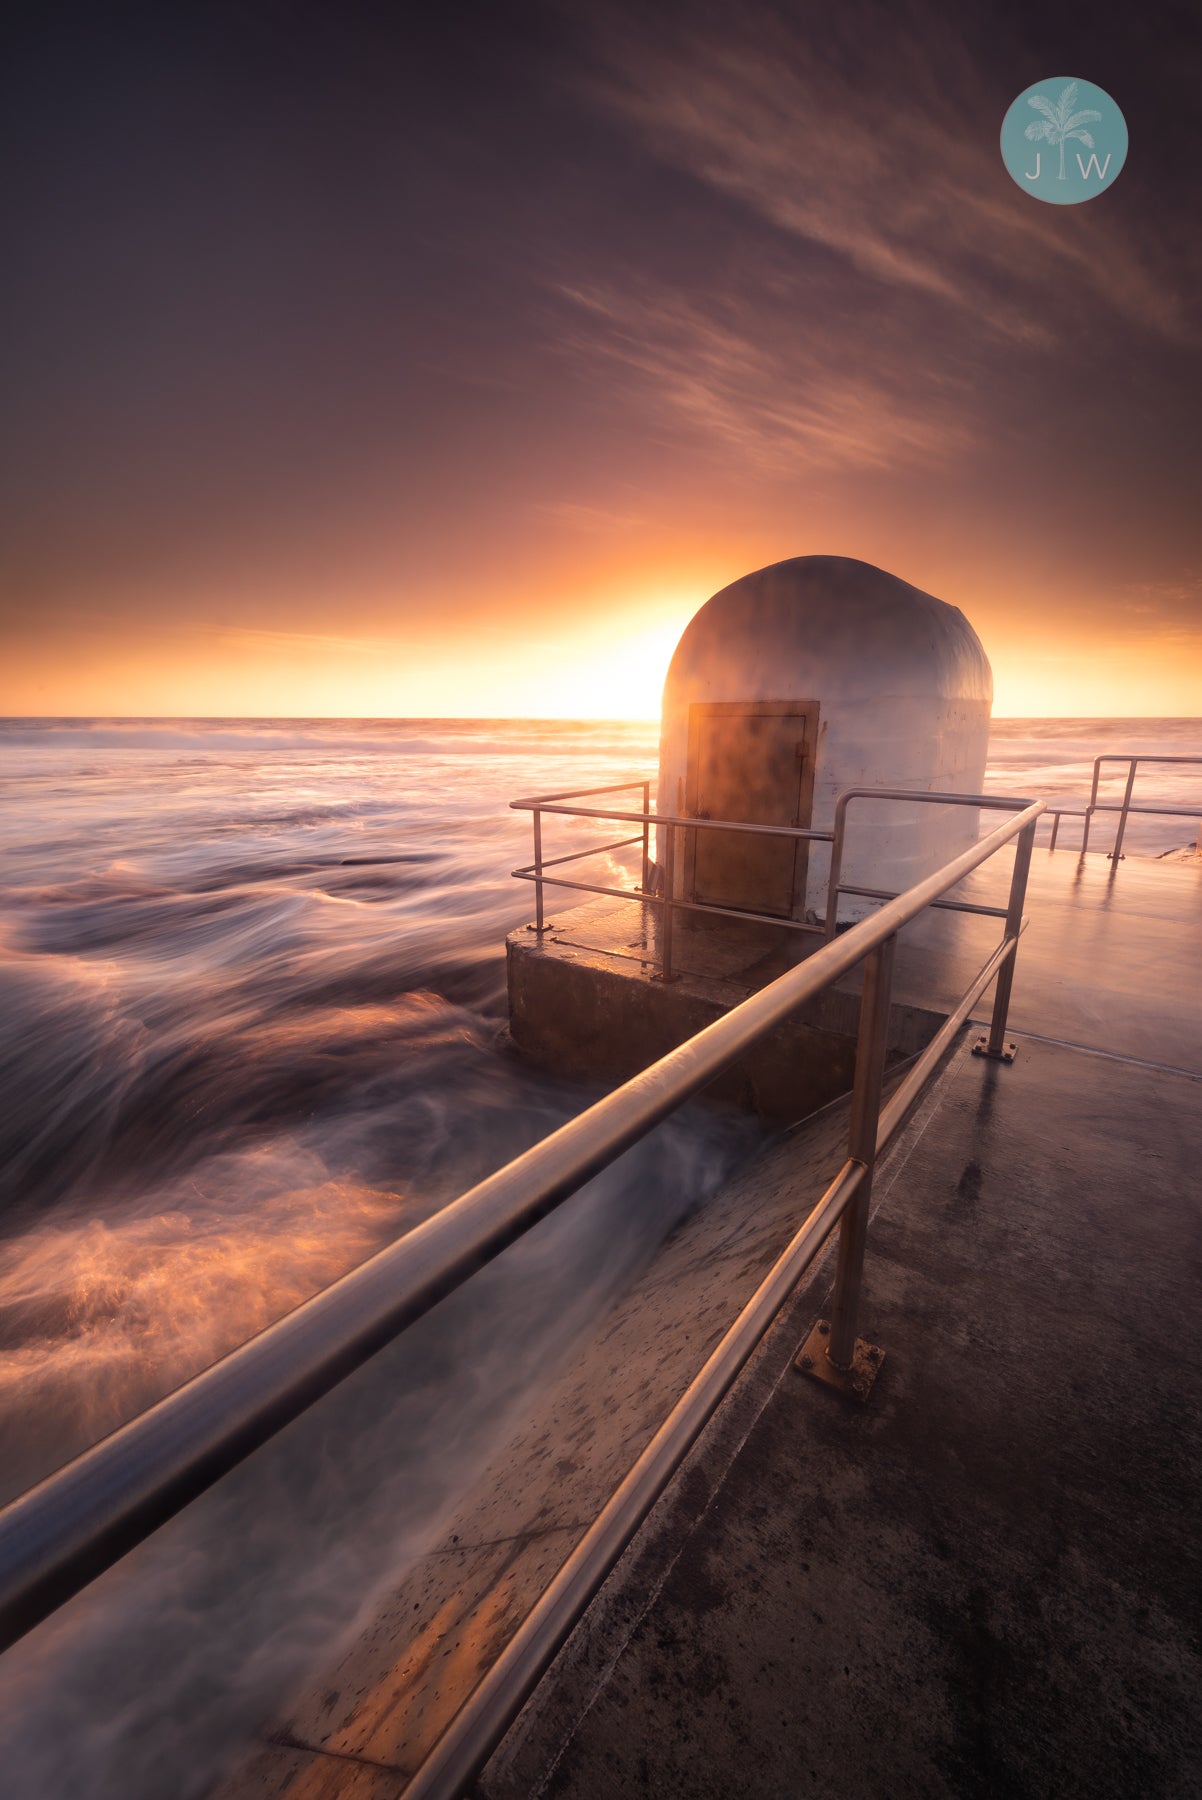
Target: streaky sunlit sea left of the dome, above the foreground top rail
(251, 987)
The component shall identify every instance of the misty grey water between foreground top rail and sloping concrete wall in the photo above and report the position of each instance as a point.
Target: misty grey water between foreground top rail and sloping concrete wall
(152, 1678)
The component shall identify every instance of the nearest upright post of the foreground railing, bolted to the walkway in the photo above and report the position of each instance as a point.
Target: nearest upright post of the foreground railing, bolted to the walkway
(870, 1072)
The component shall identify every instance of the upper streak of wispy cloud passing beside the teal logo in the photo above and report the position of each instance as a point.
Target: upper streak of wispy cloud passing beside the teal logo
(879, 145)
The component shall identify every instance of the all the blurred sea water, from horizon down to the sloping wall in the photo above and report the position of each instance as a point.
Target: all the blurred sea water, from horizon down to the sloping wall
(251, 1030)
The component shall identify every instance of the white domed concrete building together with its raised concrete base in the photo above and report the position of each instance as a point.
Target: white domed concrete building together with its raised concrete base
(789, 688)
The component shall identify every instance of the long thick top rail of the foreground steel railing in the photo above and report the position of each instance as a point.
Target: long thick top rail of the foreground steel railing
(82, 1520)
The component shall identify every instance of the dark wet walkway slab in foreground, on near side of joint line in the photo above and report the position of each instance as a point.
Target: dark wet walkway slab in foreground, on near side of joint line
(987, 1581)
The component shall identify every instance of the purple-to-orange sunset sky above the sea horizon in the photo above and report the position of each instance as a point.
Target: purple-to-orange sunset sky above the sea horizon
(357, 361)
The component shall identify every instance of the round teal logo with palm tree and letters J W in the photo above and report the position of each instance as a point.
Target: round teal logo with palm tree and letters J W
(1064, 141)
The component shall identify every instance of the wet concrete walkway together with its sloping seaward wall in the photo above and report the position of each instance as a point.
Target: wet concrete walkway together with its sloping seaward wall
(983, 1583)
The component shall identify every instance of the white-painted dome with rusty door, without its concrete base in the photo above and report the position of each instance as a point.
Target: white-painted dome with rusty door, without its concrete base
(796, 683)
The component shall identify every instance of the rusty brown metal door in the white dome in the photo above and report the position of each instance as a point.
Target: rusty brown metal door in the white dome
(751, 762)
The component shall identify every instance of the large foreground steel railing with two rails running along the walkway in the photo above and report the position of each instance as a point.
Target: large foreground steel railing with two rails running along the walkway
(82, 1520)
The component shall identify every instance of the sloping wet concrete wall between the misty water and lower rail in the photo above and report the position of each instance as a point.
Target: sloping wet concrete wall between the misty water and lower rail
(384, 1696)
